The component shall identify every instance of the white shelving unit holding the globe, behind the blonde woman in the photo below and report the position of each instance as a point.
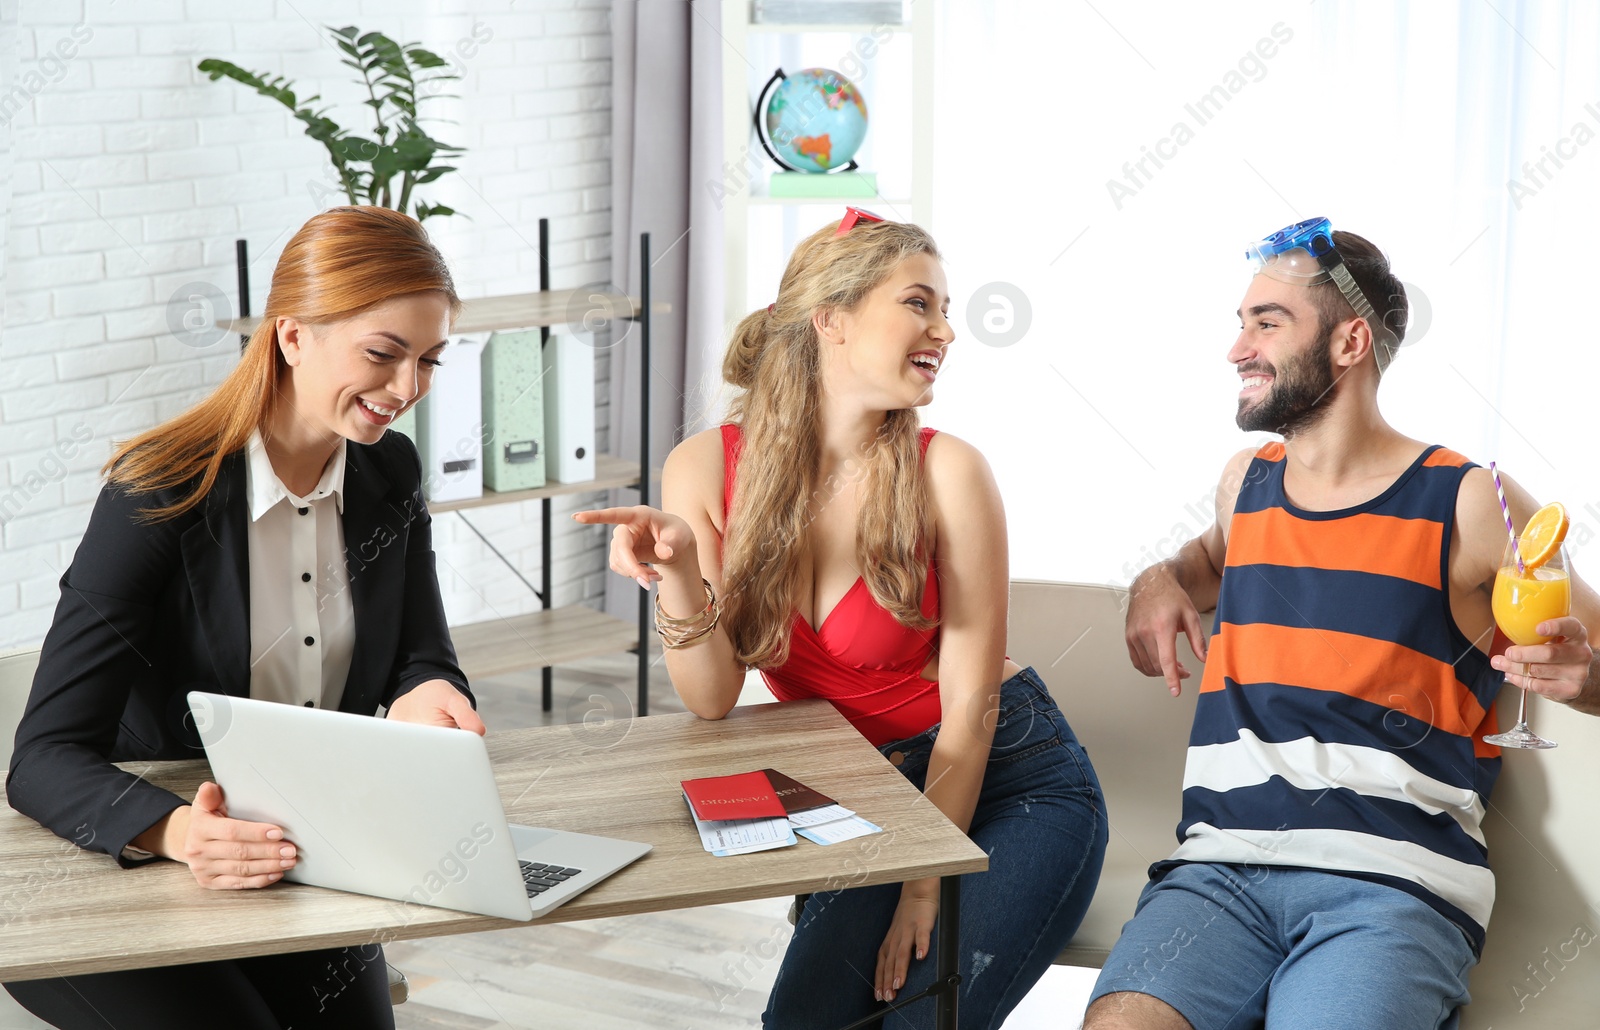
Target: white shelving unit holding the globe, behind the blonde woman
(743, 151)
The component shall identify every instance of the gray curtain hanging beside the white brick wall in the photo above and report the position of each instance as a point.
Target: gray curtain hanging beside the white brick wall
(666, 138)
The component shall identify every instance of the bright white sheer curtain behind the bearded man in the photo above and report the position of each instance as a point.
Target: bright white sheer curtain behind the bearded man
(1108, 162)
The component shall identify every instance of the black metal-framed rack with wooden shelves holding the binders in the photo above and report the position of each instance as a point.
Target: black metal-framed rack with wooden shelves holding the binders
(553, 636)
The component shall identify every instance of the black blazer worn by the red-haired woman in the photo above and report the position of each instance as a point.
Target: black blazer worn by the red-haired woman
(151, 612)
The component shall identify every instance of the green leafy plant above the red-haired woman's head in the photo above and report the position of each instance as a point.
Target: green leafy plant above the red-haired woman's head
(385, 169)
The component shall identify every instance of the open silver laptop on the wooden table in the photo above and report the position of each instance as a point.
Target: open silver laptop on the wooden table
(394, 810)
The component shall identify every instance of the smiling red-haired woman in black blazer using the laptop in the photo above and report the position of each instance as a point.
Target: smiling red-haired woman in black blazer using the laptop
(198, 573)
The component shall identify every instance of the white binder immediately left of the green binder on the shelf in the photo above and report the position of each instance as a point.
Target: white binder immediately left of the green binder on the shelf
(450, 425)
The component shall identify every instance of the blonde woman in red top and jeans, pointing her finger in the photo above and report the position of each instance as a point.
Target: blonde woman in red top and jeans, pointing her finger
(828, 540)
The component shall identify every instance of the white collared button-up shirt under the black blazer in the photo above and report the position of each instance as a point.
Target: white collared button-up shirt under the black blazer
(302, 617)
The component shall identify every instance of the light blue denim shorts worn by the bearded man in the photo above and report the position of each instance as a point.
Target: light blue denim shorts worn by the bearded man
(1239, 948)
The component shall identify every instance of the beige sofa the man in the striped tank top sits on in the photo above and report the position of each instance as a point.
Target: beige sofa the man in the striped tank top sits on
(1542, 967)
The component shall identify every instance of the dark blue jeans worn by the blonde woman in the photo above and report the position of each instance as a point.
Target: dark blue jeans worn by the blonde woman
(1042, 820)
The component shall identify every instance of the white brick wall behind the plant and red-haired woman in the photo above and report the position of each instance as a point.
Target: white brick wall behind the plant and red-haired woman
(127, 175)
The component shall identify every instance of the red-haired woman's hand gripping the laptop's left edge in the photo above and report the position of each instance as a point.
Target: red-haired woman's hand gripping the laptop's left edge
(225, 855)
